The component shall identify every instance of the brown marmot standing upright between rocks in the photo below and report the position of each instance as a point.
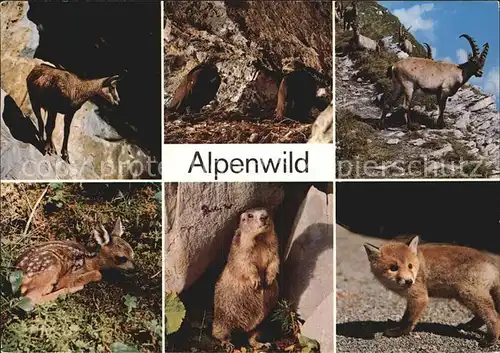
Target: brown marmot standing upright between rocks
(247, 289)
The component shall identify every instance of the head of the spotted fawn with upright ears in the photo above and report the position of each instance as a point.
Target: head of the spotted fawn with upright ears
(113, 250)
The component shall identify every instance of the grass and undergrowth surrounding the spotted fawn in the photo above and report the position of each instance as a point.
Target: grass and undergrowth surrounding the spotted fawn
(98, 317)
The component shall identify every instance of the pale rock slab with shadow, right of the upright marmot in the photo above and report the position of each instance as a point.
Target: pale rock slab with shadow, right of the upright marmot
(308, 267)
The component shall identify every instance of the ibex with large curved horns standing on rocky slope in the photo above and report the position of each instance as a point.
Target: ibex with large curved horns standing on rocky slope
(433, 77)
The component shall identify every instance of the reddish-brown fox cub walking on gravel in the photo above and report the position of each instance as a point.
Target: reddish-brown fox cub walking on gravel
(442, 271)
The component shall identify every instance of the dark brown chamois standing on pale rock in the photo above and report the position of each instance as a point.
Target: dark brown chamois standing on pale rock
(59, 91)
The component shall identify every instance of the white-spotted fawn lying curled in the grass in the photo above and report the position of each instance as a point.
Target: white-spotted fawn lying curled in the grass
(60, 267)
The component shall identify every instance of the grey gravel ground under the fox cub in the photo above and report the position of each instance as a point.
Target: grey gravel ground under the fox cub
(364, 308)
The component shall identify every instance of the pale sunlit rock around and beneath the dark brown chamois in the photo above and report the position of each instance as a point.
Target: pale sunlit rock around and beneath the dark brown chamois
(96, 150)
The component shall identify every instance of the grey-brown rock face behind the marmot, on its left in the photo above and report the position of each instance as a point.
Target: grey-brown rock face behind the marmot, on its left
(201, 219)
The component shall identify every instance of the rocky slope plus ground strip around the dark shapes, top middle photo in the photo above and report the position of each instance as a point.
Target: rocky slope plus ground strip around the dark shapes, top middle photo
(238, 34)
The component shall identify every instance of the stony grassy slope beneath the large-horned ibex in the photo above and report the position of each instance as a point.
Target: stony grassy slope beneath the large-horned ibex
(469, 146)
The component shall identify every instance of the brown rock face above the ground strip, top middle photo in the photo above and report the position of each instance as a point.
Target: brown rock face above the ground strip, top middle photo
(240, 33)
